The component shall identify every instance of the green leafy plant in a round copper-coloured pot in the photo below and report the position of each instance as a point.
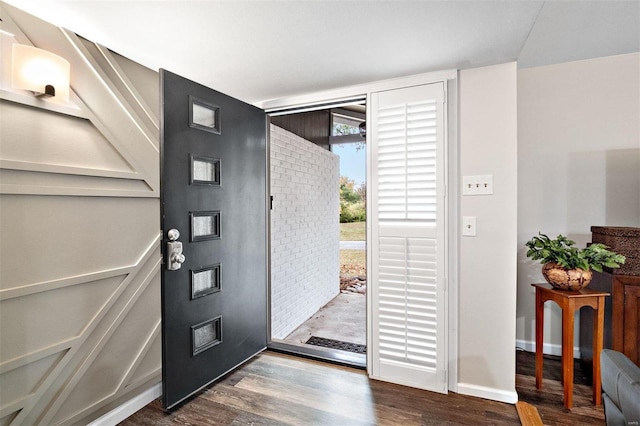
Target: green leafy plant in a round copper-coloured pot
(567, 267)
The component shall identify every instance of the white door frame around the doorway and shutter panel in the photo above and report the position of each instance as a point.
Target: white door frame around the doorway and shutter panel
(450, 79)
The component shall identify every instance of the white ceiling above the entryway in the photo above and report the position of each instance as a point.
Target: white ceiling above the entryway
(263, 50)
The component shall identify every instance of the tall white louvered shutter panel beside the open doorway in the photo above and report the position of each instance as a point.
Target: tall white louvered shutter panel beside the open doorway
(407, 243)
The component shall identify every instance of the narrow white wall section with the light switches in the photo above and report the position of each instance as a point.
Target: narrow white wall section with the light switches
(487, 262)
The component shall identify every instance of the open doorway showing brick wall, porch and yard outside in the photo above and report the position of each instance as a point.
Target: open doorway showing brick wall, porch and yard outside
(318, 233)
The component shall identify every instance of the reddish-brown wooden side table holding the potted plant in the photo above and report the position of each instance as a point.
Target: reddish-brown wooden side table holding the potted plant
(569, 302)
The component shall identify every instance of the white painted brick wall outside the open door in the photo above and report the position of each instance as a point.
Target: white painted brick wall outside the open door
(304, 230)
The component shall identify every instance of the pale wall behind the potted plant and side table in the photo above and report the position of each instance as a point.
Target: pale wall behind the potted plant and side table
(578, 164)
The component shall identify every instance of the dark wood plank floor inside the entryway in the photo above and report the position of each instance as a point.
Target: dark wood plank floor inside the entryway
(277, 389)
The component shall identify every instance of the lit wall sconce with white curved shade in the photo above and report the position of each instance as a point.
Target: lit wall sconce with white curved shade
(39, 71)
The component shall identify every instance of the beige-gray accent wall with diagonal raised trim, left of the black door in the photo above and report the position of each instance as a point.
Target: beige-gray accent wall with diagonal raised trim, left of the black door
(79, 234)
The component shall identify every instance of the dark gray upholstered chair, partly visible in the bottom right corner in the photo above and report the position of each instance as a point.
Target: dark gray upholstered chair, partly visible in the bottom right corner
(620, 389)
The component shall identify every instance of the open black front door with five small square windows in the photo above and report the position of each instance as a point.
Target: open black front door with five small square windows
(214, 276)
